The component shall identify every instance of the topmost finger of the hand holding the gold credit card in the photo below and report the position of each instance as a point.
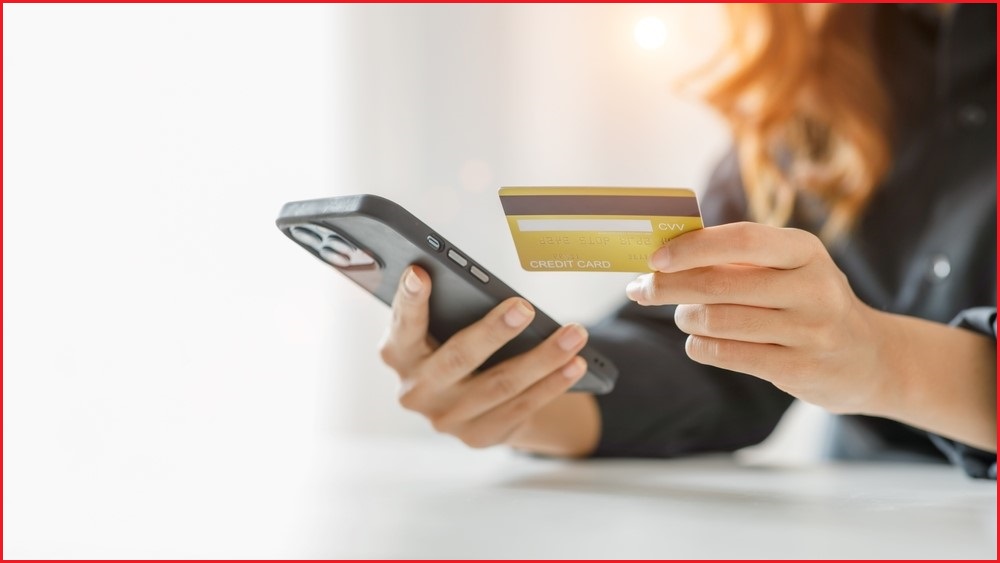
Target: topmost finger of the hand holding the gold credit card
(737, 243)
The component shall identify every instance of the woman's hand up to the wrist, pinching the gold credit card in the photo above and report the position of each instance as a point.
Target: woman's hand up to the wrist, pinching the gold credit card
(771, 303)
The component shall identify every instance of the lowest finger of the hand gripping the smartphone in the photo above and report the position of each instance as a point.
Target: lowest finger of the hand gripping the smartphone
(496, 425)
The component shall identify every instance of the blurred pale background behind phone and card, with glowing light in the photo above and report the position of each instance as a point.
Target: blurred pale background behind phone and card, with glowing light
(170, 359)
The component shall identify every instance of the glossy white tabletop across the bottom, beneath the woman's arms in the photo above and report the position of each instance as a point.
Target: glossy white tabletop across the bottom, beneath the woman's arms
(434, 498)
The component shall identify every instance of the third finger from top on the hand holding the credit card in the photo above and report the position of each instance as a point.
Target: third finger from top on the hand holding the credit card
(736, 322)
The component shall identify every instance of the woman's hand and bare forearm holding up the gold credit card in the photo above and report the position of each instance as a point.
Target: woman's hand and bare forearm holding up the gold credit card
(771, 303)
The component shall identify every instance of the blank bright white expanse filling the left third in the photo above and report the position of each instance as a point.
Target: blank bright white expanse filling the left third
(163, 343)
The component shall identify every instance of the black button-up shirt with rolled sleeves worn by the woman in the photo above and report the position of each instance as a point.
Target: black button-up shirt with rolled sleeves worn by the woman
(925, 247)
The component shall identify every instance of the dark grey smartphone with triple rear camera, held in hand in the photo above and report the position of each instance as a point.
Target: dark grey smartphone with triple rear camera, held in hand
(372, 241)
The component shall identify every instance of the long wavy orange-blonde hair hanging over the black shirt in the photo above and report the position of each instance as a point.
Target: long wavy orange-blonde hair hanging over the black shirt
(807, 107)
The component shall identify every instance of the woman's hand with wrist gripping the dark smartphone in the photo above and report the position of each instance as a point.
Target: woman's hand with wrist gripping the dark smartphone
(503, 404)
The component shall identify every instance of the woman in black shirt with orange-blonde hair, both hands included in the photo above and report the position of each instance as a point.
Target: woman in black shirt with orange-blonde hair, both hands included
(870, 128)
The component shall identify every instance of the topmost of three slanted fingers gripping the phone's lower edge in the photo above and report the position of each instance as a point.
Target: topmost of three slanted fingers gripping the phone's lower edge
(467, 349)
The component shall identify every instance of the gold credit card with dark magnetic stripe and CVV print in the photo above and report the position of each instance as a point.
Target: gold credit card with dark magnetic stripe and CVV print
(595, 229)
